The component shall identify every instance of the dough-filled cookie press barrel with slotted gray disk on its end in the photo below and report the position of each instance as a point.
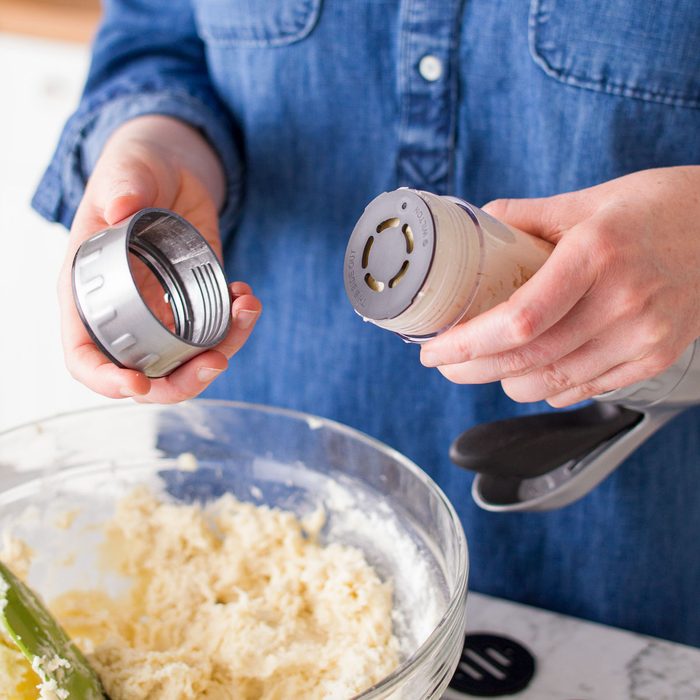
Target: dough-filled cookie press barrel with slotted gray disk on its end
(418, 263)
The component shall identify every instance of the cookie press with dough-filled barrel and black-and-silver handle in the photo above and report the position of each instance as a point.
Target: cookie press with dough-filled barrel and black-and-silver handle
(417, 264)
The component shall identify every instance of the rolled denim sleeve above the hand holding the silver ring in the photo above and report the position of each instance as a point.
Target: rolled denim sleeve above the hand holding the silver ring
(147, 59)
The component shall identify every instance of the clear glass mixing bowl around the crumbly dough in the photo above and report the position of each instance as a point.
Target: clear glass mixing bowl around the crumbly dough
(82, 463)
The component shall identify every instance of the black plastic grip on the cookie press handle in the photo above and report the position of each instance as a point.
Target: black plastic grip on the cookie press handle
(530, 446)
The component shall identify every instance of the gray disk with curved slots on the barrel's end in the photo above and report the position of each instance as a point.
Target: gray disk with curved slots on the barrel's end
(389, 254)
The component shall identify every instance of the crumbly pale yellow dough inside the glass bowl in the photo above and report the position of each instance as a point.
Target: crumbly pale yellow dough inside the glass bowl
(232, 600)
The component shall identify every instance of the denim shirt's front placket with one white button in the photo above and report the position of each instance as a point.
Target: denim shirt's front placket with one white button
(427, 93)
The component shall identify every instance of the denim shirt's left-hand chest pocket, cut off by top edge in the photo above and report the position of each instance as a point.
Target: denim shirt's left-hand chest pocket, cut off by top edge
(255, 23)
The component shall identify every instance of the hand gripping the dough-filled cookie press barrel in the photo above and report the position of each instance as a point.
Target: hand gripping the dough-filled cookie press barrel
(616, 303)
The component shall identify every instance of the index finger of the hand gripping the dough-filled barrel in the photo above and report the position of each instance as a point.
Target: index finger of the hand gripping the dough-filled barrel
(531, 310)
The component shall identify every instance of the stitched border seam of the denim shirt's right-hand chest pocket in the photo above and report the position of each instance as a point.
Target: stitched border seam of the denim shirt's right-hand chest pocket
(536, 39)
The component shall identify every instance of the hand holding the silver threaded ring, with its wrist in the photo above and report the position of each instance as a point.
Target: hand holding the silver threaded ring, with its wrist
(151, 161)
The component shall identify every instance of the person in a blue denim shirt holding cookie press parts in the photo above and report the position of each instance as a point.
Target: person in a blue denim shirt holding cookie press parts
(271, 125)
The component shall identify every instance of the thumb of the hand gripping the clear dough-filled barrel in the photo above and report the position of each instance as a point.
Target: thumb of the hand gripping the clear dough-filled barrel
(545, 217)
